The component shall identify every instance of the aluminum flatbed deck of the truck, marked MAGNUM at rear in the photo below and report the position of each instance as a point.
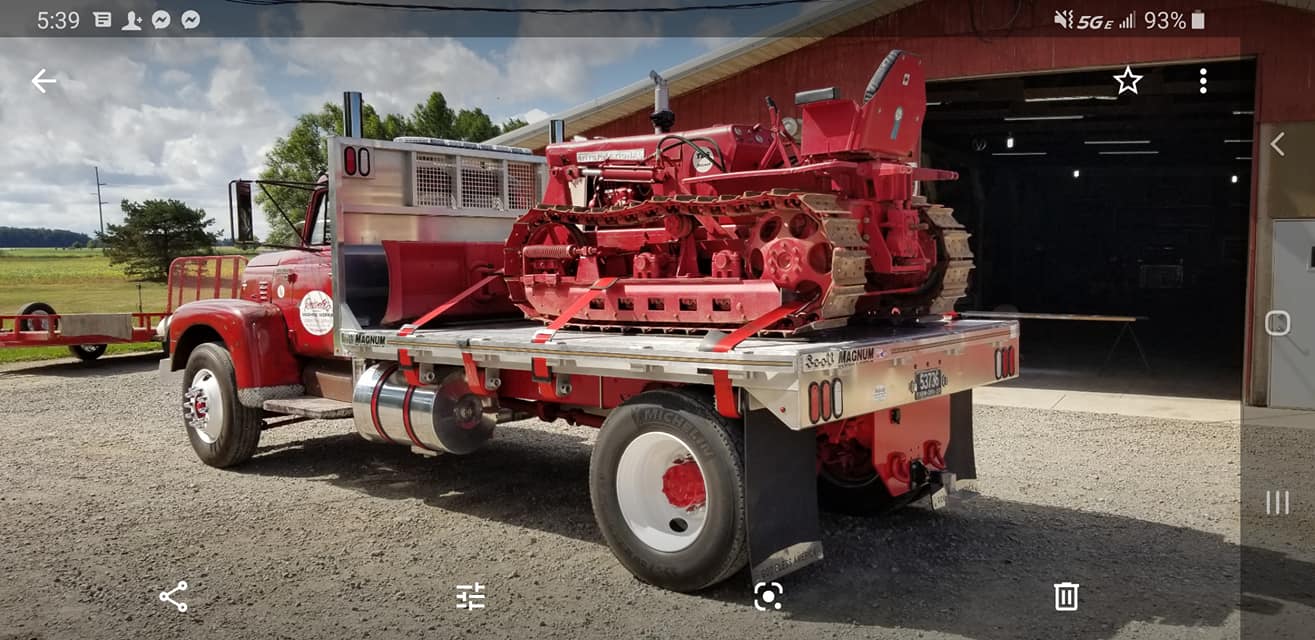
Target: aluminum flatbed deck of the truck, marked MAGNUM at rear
(866, 369)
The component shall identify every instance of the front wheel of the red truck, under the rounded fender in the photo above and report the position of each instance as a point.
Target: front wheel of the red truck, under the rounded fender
(223, 432)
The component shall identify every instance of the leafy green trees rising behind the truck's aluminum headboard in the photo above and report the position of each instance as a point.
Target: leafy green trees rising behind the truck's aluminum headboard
(300, 157)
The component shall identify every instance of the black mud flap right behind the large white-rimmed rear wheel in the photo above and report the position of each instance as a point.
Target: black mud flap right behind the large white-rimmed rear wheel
(782, 500)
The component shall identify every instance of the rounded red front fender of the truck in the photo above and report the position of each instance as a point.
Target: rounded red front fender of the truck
(254, 334)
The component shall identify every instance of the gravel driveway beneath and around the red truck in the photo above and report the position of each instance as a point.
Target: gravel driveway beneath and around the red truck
(325, 536)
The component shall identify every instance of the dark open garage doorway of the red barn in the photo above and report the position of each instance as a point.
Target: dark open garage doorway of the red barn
(1084, 200)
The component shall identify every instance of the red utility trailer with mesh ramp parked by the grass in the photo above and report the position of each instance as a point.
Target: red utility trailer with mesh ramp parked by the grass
(89, 334)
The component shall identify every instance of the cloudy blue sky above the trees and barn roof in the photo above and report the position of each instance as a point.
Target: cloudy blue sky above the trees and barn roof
(178, 119)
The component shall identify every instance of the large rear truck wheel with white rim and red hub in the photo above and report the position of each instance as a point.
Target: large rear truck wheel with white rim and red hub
(667, 483)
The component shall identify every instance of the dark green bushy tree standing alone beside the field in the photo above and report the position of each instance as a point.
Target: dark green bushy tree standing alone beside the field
(153, 235)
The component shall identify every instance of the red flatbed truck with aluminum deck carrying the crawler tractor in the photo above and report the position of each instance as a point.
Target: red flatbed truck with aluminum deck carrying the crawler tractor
(715, 453)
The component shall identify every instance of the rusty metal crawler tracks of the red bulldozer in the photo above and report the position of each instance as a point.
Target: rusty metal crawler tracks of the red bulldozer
(849, 258)
